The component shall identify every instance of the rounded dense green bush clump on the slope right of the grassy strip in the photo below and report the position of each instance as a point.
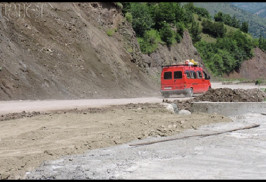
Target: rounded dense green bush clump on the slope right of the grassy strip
(227, 53)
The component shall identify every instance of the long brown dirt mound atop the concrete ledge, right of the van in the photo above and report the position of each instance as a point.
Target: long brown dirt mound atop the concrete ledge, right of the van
(232, 95)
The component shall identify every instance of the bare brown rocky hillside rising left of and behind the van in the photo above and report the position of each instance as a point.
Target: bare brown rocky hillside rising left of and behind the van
(77, 50)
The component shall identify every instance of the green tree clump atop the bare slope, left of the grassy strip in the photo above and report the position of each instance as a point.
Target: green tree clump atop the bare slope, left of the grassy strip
(161, 22)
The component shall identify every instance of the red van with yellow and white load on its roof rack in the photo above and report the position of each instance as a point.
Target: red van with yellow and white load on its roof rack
(183, 79)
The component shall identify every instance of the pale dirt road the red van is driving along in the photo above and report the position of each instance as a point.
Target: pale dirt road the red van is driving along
(53, 105)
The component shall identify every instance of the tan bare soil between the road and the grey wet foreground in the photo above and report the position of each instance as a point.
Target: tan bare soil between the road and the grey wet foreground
(26, 142)
